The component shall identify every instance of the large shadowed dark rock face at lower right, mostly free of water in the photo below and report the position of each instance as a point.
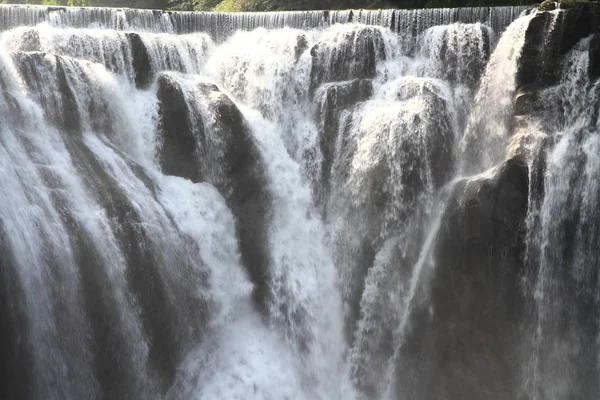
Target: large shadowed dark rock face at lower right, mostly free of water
(467, 344)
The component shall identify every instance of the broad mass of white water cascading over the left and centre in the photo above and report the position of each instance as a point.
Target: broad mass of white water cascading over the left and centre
(333, 328)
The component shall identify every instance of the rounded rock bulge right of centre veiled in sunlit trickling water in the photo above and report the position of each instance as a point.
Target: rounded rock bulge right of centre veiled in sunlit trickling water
(386, 166)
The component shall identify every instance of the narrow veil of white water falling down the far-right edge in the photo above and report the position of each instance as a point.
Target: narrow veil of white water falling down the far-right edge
(560, 346)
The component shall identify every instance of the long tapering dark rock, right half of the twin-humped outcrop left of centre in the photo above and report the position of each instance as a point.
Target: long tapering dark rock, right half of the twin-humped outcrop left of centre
(236, 168)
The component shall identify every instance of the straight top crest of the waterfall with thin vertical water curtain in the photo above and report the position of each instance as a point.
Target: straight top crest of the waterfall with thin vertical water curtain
(220, 26)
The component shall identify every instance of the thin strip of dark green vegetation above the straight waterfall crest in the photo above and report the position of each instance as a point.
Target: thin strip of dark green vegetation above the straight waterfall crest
(271, 5)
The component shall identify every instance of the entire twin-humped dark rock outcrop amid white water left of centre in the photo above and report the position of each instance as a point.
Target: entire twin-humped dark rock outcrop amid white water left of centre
(218, 148)
